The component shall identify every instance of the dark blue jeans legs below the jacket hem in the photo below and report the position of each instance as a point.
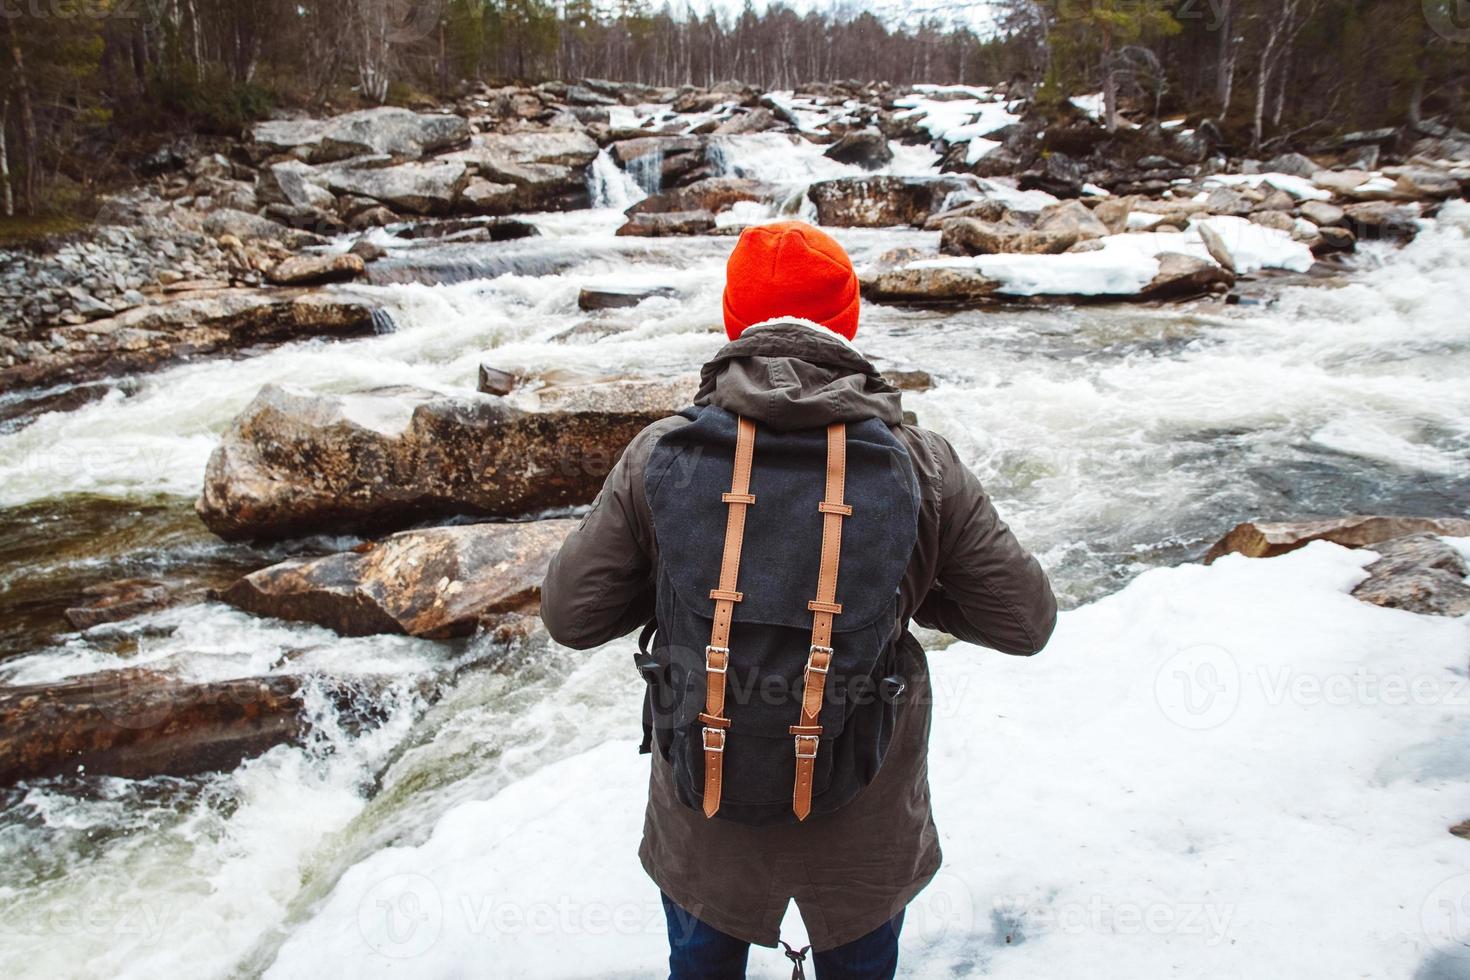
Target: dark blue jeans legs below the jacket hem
(702, 953)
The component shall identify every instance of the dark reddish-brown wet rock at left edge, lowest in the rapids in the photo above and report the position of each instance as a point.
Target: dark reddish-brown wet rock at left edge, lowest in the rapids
(137, 724)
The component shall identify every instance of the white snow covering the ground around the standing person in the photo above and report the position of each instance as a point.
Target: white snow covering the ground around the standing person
(1218, 772)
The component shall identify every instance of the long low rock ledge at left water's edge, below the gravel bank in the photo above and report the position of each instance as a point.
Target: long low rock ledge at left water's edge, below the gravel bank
(196, 325)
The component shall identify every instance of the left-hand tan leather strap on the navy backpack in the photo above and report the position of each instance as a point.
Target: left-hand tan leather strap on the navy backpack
(718, 655)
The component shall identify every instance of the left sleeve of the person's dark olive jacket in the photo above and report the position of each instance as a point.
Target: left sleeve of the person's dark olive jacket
(600, 584)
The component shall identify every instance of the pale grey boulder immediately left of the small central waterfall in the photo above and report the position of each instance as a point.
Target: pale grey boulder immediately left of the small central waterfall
(548, 168)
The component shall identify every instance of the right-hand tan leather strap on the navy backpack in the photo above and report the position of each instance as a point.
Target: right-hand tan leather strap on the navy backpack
(824, 609)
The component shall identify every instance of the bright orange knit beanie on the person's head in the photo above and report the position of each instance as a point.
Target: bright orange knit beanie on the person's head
(790, 270)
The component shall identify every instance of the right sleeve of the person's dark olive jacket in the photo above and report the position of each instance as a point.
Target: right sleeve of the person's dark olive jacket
(989, 588)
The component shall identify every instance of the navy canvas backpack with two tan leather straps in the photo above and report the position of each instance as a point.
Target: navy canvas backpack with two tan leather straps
(772, 659)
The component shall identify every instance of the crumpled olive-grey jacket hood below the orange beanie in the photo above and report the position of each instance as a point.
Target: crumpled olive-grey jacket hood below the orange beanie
(795, 377)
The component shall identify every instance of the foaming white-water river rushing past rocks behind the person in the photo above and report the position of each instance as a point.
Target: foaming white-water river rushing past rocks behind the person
(1114, 439)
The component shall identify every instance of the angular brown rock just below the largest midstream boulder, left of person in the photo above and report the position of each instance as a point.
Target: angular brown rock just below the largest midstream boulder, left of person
(439, 583)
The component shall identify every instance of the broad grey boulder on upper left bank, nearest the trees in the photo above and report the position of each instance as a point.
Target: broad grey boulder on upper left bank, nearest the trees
(398, 133)
